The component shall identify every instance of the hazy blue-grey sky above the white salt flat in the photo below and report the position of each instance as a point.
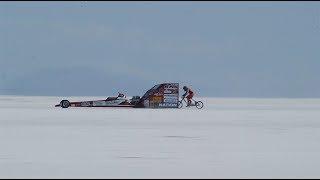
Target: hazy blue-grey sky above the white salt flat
(221, 49)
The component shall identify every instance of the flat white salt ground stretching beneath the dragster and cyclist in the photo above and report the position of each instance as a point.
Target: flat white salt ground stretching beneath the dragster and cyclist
(228, 138)
